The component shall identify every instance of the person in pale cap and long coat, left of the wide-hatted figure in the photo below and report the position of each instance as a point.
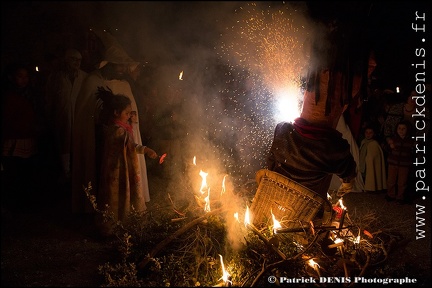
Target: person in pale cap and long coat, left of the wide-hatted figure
(62, 88)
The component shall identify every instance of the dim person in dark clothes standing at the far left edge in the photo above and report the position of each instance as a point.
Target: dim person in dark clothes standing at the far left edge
(20, 131)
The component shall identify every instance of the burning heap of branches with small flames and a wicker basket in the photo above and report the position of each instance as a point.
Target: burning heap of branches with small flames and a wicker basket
(206, 239)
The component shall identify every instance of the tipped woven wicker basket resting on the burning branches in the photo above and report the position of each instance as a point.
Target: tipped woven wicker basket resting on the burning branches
(291, 203)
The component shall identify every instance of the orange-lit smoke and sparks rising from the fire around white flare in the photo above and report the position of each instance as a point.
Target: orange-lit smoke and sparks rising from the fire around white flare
(243, 65)
